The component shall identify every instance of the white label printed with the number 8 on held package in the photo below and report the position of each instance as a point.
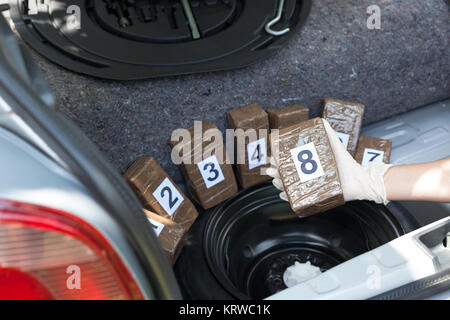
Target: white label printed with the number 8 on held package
(307, 162)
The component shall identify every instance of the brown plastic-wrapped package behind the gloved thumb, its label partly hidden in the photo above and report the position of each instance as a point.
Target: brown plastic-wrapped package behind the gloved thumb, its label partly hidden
(346, 119)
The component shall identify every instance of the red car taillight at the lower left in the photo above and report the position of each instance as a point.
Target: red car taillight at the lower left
(50, 254)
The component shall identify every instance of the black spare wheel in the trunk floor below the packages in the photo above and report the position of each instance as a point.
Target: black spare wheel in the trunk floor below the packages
(241, 248)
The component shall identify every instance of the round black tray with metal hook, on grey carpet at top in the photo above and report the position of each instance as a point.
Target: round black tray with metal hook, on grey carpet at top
(139, 39)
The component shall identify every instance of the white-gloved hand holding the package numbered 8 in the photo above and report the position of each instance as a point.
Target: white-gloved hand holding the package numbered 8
(358, 183)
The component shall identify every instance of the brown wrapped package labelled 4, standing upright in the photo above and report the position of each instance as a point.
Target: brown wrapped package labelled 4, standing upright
(251, 147)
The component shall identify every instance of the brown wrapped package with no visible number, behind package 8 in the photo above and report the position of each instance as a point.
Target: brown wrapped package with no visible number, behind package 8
(284, 117)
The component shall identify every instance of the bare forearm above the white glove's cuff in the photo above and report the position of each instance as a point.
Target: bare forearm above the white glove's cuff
(428, 181)
